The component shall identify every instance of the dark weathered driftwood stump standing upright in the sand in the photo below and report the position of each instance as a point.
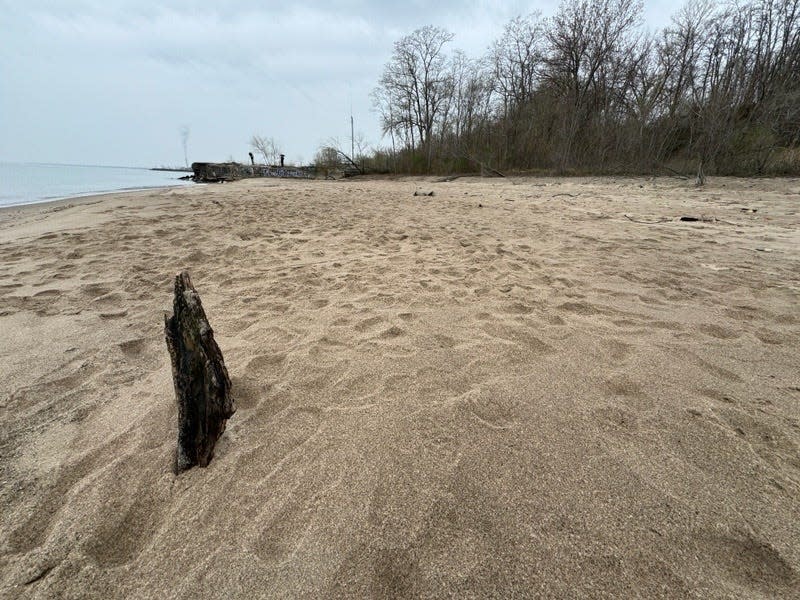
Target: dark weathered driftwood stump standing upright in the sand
(202, 385)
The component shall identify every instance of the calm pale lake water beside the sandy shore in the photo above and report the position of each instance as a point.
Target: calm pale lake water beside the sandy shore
(30, 183)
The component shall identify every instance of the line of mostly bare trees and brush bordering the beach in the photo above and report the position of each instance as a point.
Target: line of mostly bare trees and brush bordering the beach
(590, 90)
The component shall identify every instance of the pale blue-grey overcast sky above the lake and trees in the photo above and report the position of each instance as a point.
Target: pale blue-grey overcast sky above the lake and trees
(113, 82)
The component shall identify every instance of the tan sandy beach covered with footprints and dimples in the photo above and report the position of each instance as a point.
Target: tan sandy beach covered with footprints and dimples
(508, 389)
